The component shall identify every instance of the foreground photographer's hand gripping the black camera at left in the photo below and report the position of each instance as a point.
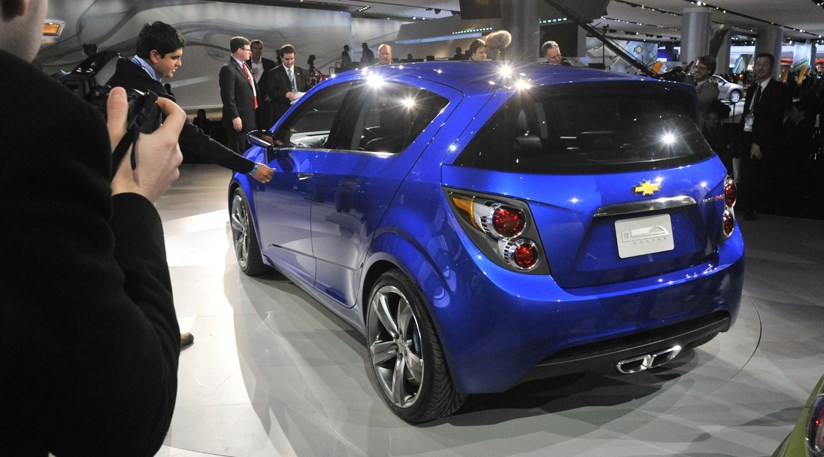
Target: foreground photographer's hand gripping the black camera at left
(158, 154)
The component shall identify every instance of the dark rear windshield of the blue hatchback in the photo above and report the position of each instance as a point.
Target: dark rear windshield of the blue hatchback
(586, 128)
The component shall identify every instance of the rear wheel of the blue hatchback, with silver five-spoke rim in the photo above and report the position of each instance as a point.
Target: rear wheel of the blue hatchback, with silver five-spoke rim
(404, 351)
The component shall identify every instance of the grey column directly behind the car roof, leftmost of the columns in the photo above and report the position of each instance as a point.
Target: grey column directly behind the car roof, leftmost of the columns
(520, 18)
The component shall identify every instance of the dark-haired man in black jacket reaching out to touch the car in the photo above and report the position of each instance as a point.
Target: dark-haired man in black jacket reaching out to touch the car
(159, 54)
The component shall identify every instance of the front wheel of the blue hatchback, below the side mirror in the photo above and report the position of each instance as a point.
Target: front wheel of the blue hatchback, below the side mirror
(244, 240)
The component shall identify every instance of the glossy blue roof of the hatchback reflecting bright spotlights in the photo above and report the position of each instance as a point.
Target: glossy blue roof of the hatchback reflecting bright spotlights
(486, 77)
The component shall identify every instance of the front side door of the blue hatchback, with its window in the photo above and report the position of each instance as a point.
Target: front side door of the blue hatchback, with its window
(284, 204)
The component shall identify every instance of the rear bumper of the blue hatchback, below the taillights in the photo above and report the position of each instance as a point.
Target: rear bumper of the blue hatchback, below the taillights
(499, 328)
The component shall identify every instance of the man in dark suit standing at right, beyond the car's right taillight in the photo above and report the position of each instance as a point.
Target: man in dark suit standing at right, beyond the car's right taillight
(767, 101)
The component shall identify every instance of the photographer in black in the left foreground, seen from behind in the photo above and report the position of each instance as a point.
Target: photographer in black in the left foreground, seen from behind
(89, 340)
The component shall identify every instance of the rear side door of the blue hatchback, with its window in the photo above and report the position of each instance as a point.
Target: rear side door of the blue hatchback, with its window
(390, 125)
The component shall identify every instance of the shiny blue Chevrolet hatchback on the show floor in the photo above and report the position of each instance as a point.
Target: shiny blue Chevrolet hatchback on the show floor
(483, 225)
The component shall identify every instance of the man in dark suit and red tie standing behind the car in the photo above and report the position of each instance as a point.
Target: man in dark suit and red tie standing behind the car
(238, 92)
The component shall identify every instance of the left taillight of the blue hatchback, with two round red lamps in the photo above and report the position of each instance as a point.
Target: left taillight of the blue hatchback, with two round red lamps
(502, 228)
